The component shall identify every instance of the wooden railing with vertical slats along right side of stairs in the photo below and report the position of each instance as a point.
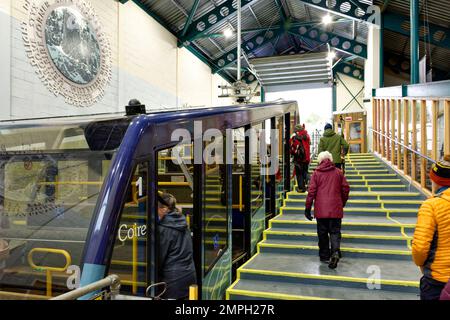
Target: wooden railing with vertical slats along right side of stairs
(412, 131)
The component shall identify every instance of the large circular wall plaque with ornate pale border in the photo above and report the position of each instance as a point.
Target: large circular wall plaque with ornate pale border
(65, 43)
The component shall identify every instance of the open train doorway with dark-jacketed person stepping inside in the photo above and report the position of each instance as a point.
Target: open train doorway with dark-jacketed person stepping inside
(175, 175)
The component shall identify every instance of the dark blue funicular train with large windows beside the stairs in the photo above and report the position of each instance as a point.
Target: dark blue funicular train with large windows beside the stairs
(78, 196)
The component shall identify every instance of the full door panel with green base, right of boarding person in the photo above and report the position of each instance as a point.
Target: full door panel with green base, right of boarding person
(214, 220)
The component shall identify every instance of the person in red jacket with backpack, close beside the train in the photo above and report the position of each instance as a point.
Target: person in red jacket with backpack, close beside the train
(300, 150)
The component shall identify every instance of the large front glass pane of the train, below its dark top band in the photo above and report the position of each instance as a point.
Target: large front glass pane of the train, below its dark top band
(46, 205)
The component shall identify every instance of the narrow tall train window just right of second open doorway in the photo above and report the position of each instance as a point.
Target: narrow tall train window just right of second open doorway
(257, 194)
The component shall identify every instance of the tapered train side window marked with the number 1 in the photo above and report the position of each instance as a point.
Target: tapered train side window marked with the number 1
(129, 258)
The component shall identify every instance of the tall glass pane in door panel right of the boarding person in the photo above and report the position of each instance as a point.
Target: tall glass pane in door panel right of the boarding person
(215, 209)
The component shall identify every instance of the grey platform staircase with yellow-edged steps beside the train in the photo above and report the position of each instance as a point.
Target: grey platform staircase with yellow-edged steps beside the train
(377, 229)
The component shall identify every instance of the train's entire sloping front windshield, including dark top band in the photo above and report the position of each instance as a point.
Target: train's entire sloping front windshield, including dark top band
(50, 179)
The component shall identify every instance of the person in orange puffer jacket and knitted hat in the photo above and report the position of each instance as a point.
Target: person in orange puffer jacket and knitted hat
(431, 242)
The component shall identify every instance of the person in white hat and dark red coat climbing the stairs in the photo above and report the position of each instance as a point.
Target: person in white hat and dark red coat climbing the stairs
(329, 191)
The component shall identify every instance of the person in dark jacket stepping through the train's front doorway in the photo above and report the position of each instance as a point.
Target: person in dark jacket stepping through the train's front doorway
(176, 263)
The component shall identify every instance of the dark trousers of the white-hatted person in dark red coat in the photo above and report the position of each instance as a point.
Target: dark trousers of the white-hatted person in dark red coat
(329, 232)
